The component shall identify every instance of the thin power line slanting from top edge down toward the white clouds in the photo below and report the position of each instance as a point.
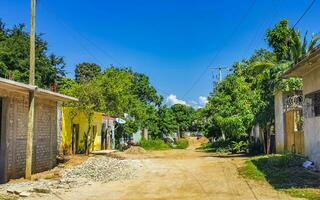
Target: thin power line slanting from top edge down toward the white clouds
(219, 52)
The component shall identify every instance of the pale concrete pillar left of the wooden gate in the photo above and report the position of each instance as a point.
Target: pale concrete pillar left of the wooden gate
(279, 122)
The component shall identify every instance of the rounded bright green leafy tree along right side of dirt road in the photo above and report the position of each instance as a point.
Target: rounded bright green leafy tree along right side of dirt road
(231, 107)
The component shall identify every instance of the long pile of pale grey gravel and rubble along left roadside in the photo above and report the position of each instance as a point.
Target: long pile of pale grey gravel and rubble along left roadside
(95, 169)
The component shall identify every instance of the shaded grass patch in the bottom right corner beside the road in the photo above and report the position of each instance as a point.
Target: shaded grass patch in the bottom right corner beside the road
(285, 173)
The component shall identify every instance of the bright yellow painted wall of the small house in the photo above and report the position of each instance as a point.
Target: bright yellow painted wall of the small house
(82, 120)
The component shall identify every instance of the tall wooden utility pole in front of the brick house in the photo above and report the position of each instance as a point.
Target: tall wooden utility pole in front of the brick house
(28, 171)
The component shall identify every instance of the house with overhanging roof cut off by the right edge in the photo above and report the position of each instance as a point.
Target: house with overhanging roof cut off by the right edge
(309, 70)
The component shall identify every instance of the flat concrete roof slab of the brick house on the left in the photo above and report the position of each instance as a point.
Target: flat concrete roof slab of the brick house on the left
(17, 86)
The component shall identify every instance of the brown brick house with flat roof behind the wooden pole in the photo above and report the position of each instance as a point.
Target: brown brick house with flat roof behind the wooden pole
(14, 105)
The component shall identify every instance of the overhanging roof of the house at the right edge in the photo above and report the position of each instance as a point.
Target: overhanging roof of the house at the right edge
(306, 65)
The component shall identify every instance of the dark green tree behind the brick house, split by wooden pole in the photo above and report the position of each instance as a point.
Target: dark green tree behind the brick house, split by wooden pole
(14, 58)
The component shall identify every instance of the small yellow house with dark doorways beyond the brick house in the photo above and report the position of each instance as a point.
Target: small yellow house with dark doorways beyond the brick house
(75, 126)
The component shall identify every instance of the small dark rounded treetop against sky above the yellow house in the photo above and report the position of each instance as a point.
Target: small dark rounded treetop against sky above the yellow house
(86, 71)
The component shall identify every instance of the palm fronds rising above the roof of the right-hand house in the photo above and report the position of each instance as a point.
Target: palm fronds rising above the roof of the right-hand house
(301, 48)
